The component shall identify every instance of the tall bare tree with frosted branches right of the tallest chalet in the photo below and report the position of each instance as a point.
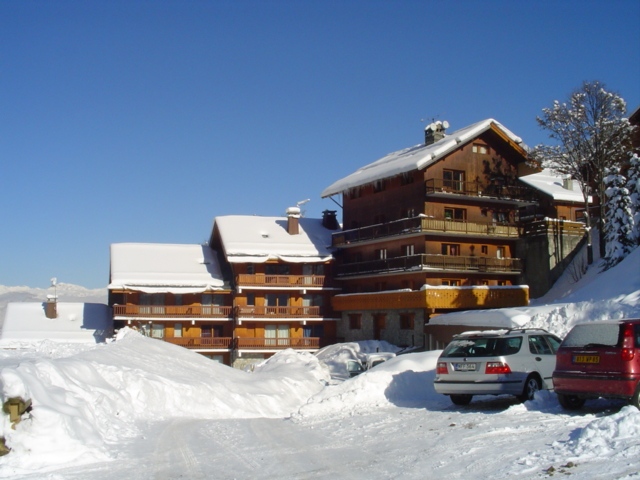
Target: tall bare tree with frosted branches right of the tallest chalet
(591, 135)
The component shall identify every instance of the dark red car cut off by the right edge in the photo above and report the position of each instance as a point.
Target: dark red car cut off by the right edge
(599, 359)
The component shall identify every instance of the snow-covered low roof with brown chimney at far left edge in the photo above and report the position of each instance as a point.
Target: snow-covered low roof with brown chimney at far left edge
(75, 322)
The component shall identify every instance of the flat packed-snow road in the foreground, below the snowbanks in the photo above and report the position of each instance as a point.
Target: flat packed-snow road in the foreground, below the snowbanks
(494, 438)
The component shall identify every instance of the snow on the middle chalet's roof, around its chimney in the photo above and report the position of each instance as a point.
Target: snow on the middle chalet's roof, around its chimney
(257, 239)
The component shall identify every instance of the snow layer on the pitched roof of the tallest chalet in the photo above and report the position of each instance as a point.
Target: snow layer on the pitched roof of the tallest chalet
(417, 157)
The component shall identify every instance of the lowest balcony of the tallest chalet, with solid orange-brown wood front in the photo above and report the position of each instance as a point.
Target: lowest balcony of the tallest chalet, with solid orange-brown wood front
(436, 298)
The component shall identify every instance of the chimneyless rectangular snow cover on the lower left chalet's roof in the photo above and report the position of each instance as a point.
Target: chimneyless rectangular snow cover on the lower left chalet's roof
(159, 267)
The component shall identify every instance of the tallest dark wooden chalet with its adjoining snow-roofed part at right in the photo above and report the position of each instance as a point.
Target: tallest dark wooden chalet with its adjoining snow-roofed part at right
(444, 226)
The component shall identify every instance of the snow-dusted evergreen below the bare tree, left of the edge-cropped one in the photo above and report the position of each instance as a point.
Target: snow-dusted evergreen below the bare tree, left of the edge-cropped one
(619, 227)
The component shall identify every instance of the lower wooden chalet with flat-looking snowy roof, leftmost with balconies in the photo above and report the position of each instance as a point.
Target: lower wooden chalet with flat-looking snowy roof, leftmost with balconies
(175, 293)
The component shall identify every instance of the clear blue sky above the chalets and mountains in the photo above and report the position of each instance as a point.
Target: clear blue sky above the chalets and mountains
(125, 121)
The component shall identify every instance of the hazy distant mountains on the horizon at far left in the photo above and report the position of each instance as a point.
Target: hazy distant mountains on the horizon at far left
(66, 292)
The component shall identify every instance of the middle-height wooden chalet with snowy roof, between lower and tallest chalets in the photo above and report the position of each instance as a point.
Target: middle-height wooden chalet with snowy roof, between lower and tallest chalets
(281, 274)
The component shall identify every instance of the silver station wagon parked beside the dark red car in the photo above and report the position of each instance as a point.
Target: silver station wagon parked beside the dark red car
(515, 362)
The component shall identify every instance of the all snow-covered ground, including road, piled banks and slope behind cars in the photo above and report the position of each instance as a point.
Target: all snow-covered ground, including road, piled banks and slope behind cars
(140, 408)
